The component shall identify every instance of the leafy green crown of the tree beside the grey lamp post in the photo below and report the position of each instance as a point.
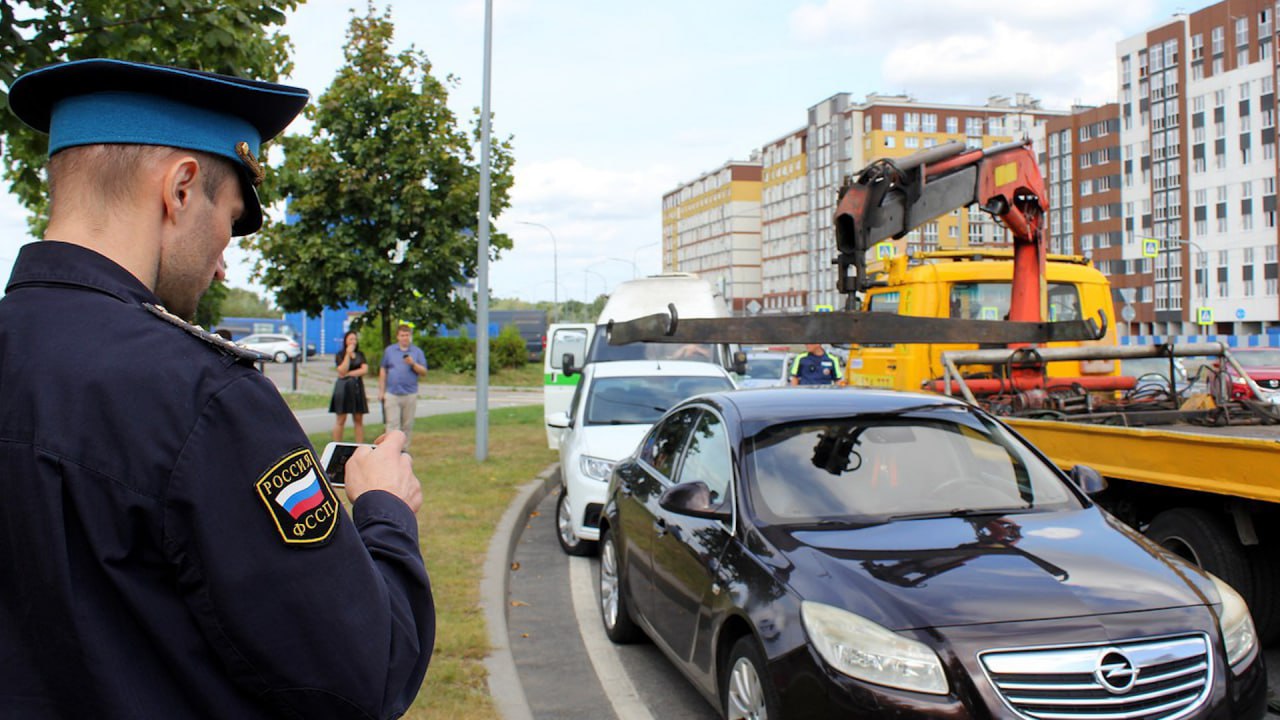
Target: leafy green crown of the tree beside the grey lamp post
(383, 195)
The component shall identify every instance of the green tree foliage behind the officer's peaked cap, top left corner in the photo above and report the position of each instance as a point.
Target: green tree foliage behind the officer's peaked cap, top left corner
(231, 37)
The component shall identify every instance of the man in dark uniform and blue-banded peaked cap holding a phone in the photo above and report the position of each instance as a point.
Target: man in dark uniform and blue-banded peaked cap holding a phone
(170, 546)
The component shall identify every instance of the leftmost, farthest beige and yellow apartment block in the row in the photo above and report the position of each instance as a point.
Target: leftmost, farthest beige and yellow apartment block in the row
(712, 227)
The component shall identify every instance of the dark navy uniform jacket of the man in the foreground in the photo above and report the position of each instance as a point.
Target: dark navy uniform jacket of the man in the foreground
(168, 545)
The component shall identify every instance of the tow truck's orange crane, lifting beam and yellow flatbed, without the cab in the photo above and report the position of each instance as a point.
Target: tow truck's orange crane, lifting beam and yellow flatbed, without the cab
(1196, 473)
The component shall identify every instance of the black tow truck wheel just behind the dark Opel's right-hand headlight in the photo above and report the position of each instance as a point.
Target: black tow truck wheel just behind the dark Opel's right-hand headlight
(1205, 541)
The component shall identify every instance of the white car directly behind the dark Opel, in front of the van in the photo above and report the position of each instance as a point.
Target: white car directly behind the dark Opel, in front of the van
(614, 408)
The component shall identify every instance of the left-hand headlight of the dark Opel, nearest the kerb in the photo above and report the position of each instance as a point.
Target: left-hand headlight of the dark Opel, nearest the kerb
(863, 650)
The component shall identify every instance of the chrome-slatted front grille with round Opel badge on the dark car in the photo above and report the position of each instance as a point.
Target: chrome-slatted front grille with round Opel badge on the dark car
(1151, 680)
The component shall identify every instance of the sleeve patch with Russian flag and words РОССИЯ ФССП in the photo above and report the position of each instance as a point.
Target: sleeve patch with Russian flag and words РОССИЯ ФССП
(300, 500)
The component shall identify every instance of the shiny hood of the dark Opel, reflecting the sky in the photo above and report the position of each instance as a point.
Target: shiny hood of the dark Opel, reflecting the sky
(959, 572)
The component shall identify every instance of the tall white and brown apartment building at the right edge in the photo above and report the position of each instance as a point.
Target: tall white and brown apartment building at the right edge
(1197, 111)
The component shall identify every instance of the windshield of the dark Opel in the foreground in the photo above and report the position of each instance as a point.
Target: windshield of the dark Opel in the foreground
(877, 468)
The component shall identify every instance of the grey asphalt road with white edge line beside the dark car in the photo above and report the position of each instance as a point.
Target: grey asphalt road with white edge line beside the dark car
(569, 668)
